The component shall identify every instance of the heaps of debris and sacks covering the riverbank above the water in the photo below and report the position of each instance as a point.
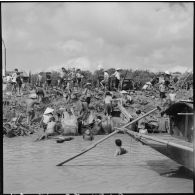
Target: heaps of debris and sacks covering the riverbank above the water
(66, 104)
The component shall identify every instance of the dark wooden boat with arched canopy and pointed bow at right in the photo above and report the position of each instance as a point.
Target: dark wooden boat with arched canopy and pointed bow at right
(178, 143)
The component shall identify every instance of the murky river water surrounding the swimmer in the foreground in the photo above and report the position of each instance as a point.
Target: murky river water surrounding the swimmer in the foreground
(29, 167)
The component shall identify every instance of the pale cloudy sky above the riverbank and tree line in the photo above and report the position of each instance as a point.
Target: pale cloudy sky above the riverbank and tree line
(156, 36)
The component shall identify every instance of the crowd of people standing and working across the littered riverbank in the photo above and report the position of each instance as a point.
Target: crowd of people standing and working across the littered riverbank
(70, 81)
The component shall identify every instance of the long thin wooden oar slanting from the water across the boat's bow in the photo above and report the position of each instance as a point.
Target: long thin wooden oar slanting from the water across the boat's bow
(101, 140)
